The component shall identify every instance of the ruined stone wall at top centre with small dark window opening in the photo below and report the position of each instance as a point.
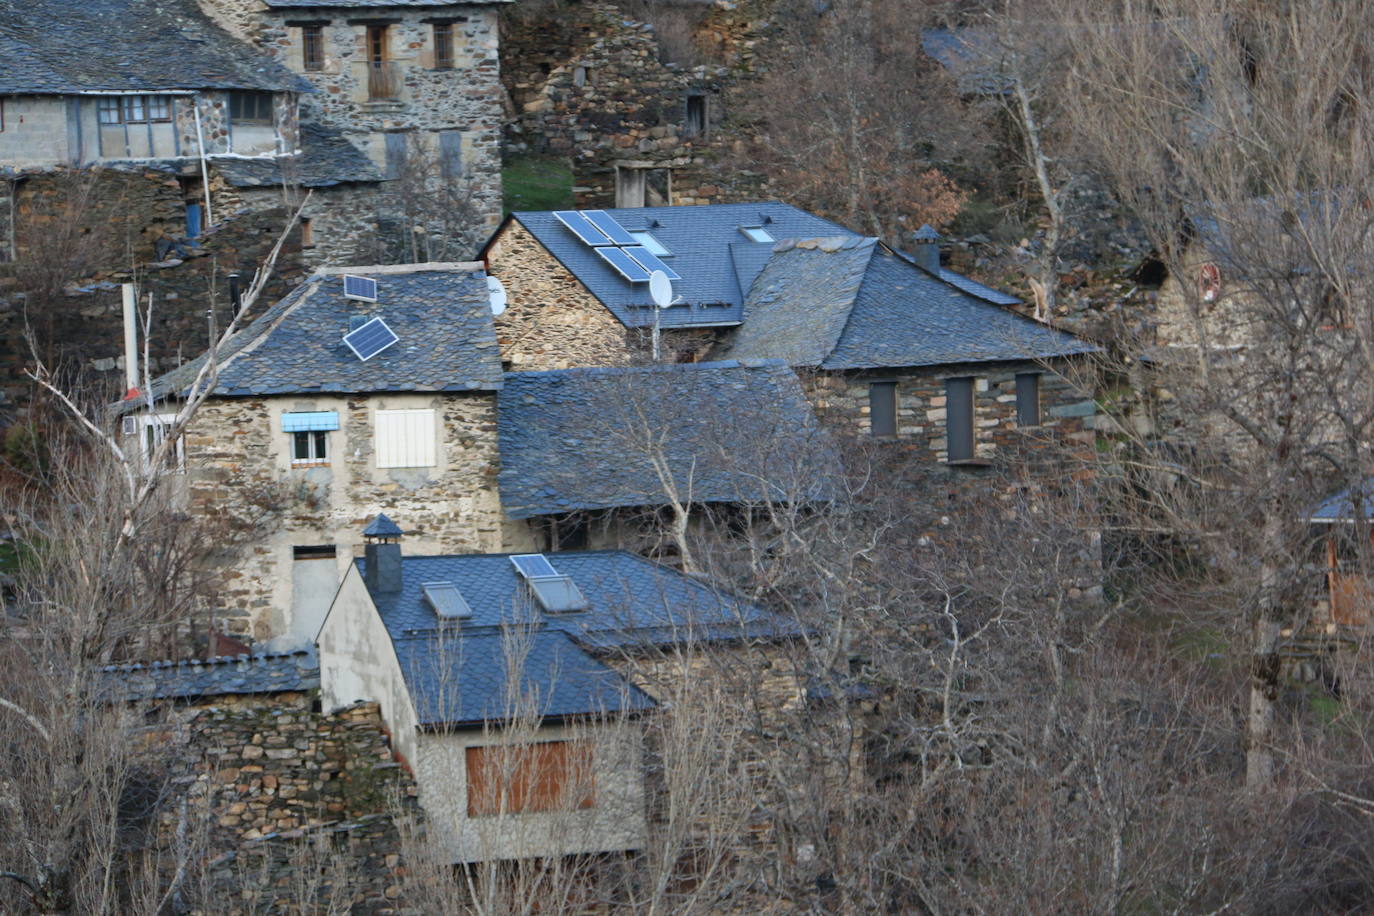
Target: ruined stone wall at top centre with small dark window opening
(589, 84)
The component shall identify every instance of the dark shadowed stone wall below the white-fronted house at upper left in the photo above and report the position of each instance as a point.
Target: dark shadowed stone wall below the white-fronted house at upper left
(82, 234)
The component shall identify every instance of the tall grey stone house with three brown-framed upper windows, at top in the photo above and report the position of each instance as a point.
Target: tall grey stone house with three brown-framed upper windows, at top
(395, 79)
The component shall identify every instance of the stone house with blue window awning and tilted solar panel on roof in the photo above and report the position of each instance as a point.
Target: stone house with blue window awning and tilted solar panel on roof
(303, 431)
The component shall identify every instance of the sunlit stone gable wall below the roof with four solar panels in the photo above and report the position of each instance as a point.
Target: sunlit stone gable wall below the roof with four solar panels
(552, 321)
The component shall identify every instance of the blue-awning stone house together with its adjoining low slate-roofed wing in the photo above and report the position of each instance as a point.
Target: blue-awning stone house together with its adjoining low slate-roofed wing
(381, 391)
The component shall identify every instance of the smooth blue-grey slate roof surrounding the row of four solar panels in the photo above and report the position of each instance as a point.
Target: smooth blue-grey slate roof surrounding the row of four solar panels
(714, 257)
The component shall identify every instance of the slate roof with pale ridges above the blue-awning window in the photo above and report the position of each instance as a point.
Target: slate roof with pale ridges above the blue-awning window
(440, 312)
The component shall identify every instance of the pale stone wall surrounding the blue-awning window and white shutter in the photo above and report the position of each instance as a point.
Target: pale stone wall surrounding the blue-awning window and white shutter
(238, 465)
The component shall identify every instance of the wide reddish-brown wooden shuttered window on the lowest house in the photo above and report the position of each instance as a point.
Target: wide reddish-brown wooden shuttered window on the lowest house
(526, 779)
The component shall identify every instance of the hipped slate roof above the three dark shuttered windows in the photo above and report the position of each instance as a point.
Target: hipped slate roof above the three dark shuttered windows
(855, 304)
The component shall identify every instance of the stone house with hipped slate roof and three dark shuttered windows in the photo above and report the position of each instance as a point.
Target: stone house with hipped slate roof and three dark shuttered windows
(899, 348)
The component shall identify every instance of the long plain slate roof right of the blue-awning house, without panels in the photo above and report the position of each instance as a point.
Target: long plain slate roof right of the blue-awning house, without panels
(730, 432)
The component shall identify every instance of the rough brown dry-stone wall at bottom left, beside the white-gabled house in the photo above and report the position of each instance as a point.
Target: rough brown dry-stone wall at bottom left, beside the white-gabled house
(297, 807)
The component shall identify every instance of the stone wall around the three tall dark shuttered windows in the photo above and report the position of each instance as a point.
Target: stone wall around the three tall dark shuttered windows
(1066, 411)
